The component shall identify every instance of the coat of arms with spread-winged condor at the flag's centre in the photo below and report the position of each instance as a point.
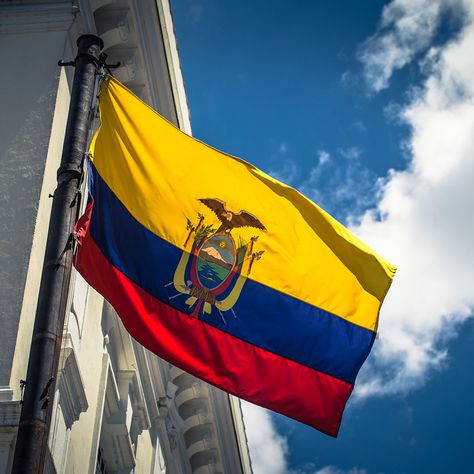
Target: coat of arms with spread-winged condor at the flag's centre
(214, 270)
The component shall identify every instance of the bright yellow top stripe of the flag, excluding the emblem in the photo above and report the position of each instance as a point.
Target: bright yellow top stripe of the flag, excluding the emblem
(159, 173)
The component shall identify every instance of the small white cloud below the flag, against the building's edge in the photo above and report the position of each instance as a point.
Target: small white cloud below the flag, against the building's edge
(268, 449)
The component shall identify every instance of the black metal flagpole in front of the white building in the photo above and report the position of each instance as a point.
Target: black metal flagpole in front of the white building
(33, 430)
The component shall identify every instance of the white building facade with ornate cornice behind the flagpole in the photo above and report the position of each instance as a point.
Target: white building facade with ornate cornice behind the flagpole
(117, 407)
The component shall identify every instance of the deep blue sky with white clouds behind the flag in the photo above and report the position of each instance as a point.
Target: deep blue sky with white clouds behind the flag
(367, 108)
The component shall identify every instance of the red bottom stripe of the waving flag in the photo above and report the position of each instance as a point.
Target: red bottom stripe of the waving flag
(236, 366)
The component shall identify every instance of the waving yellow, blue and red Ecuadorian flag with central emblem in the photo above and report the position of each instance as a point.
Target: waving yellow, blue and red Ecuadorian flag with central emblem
(224, 271)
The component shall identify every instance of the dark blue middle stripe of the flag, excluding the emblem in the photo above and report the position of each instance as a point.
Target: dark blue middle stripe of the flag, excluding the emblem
(264, 317)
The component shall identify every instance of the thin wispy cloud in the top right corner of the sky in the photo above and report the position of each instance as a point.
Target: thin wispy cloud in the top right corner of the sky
(406, 29)
